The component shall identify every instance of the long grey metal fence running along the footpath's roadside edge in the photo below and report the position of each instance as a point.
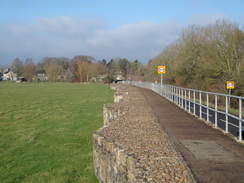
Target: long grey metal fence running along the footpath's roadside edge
(212, 107)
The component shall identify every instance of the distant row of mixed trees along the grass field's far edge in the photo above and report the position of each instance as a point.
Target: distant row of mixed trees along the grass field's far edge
(83, 68)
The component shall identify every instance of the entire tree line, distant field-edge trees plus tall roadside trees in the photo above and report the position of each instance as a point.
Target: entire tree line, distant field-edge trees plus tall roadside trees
(203, 57)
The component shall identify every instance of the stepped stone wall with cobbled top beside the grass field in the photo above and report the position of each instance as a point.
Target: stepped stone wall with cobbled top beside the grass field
(132, 147)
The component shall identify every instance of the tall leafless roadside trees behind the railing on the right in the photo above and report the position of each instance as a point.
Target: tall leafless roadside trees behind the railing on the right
(204, 58)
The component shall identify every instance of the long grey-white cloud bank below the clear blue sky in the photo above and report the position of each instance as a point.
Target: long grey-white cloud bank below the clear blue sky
(70, 36)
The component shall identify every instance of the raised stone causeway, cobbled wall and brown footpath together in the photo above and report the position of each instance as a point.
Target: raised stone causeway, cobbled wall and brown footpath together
(146, 138)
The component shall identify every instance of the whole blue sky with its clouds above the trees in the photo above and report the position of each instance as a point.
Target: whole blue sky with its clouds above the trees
(105, 29)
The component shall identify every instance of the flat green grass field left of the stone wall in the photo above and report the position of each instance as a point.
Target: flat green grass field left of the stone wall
(46, 131)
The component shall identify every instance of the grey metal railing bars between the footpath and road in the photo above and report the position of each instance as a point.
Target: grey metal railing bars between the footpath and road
(182, 97)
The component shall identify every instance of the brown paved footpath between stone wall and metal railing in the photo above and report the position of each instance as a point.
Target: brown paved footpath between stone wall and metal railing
(212, 156)
